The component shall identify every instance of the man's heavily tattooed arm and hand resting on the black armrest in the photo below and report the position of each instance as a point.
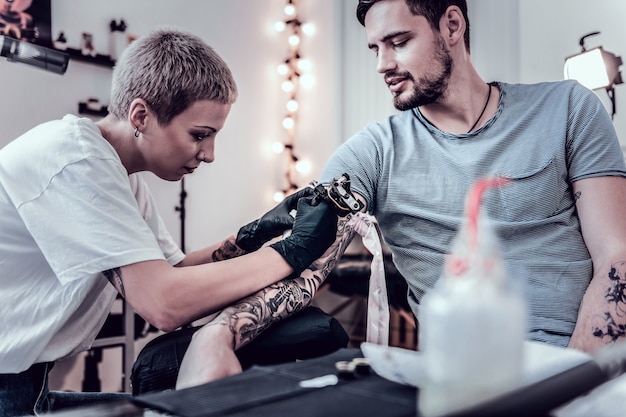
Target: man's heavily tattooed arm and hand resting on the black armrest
(211, 354)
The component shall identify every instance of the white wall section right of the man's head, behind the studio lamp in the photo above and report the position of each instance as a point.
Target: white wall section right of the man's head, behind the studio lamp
(527, 41)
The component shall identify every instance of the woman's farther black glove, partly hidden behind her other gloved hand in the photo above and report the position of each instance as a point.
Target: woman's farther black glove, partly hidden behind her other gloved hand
(273, 223)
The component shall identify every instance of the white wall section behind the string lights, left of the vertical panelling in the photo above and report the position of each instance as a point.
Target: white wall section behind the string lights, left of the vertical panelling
(239, 185)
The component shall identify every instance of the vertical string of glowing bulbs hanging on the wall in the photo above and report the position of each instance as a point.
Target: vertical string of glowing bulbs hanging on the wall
(295, 70)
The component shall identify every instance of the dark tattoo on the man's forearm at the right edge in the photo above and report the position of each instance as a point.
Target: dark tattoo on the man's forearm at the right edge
(613, 324)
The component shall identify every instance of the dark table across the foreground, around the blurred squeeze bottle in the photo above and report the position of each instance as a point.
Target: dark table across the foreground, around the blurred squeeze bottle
(276, 391)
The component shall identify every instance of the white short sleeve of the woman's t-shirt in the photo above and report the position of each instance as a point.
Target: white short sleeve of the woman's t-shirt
(86, 220)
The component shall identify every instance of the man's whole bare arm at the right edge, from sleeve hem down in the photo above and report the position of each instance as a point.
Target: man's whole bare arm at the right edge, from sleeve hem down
(602, 317)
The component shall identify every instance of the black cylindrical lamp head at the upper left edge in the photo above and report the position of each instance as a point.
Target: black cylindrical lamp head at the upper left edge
(32, 54)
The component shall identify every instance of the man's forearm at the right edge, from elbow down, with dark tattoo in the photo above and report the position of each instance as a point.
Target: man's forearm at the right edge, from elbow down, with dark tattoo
(602, 316)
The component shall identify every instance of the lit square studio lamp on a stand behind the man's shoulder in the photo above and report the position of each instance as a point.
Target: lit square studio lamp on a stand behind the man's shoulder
(595, 69)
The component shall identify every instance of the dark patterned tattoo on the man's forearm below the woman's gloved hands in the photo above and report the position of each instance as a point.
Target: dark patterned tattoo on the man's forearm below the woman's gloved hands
(254, 314)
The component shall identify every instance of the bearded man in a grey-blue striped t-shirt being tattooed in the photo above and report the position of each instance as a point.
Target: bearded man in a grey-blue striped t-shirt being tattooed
(559, 219)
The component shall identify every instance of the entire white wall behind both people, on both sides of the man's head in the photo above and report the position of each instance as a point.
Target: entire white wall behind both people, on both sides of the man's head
(512, 40)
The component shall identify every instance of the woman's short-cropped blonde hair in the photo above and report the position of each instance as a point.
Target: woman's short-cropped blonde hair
(170, 69)
